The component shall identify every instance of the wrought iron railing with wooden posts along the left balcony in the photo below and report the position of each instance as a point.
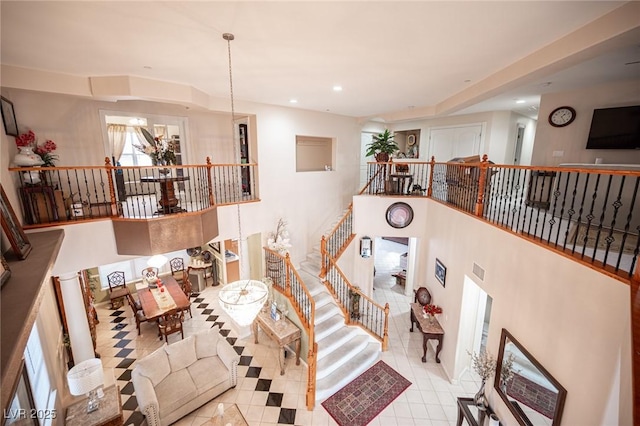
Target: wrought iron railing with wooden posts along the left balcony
(58, 195)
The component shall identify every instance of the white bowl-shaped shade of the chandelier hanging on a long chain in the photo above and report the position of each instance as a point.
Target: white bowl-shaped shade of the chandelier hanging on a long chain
(242, 300)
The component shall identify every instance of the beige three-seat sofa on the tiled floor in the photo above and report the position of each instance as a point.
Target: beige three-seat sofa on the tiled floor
(178, 378)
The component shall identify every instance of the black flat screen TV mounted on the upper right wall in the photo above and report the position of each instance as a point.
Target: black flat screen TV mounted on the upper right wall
(615, 128)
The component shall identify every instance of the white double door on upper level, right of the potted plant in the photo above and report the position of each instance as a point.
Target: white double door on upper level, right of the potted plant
(446, 143)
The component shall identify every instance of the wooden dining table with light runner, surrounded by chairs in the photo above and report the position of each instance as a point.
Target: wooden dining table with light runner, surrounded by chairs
(155, 303)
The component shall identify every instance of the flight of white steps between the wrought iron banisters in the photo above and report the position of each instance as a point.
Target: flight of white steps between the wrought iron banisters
(344, 352)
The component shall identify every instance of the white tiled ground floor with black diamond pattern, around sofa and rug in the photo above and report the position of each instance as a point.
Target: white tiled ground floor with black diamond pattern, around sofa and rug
(265, 397)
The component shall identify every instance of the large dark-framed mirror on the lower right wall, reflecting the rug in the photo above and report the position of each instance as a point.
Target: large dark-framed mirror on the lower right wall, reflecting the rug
(532, 394)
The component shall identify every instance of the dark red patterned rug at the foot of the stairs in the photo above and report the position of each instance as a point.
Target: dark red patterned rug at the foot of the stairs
(365, 397)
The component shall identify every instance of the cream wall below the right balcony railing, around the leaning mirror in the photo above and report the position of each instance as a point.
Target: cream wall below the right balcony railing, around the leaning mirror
(573, 319)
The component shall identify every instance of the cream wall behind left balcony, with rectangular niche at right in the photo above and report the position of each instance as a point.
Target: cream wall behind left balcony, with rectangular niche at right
(309, 201)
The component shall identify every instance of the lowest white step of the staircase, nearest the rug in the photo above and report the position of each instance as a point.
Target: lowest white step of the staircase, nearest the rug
(347, 372)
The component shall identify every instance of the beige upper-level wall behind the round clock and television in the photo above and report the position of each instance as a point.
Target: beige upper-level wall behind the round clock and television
(572, 139)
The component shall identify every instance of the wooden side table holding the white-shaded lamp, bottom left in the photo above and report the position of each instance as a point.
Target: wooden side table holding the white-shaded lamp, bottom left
(108, 414)
